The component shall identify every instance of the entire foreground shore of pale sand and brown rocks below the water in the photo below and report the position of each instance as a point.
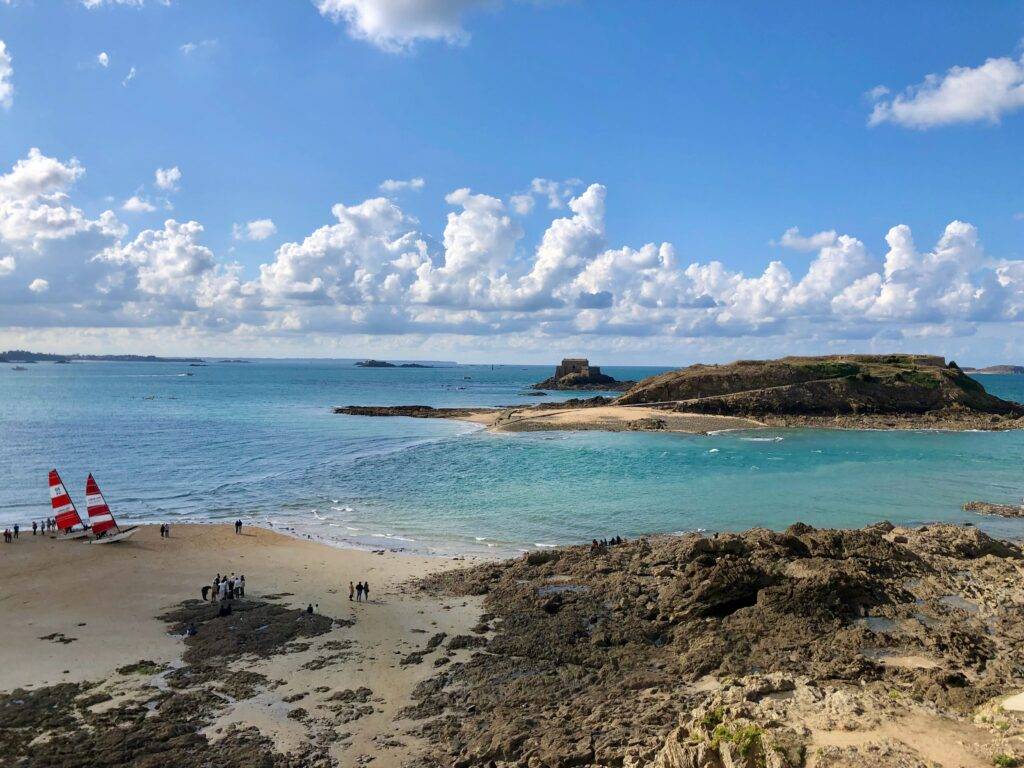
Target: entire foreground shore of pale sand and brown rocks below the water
(850, 648)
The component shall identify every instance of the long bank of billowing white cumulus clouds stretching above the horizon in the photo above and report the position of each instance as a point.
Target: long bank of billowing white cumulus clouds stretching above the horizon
(374, 271)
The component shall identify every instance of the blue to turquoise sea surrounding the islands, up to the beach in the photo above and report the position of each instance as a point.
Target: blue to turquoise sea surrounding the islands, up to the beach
(259, 442)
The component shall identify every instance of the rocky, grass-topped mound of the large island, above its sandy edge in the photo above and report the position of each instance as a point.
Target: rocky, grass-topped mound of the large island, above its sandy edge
(827, 388)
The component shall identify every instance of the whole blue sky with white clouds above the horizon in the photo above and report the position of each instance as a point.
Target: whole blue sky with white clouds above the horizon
(513, 181)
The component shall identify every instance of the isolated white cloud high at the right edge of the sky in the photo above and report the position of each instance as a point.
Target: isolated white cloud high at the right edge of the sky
(964, 95)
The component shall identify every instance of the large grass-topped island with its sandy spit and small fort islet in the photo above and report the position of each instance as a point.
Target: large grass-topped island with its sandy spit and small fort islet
(845, 392)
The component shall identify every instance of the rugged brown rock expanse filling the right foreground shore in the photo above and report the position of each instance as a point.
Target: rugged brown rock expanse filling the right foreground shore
(740, 650)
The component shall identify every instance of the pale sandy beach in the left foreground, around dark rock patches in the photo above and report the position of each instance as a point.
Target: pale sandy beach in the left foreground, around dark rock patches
(86, 612)
